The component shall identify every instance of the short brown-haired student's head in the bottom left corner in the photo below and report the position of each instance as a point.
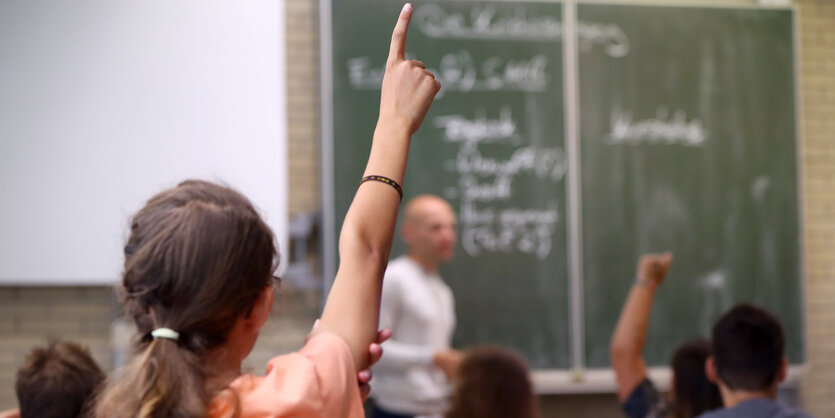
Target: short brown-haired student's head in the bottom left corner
(57, 381)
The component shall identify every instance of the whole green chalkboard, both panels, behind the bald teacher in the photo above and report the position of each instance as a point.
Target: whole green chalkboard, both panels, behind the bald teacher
(686, 141)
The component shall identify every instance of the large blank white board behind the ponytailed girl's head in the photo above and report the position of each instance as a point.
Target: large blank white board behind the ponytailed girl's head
(103, 103)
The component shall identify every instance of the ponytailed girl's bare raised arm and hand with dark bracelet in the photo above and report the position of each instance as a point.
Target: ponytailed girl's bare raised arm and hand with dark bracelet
(353, 305)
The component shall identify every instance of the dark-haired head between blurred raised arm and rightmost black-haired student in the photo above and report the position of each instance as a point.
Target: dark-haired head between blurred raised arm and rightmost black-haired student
(692, 392)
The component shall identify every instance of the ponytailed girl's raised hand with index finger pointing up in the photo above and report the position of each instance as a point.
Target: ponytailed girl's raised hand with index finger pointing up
(408, 87)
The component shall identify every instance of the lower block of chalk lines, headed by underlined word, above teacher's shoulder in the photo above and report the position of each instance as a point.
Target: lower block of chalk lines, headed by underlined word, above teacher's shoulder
(488, 218)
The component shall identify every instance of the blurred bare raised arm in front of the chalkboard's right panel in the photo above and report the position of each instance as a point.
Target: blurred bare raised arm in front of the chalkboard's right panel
(630, 335)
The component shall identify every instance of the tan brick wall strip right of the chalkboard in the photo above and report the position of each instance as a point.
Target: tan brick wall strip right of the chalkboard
(817, 89)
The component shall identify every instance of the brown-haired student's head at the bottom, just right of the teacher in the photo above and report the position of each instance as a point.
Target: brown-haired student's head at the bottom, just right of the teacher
(493, 383)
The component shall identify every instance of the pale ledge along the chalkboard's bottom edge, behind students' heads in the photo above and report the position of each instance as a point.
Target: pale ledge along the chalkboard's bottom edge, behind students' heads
(590, 381)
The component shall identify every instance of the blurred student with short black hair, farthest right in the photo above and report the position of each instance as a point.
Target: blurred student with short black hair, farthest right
(747, 363)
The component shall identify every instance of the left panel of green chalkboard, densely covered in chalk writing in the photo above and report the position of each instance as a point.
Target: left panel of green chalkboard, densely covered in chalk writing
(492, 144)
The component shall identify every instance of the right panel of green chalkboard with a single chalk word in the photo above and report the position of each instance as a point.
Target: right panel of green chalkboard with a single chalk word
(688, 143)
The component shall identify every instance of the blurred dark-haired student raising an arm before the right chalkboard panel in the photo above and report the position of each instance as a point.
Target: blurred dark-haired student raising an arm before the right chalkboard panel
(691, 392)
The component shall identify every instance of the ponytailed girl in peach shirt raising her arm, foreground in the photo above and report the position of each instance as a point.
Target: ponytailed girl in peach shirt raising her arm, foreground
(198, 283)
